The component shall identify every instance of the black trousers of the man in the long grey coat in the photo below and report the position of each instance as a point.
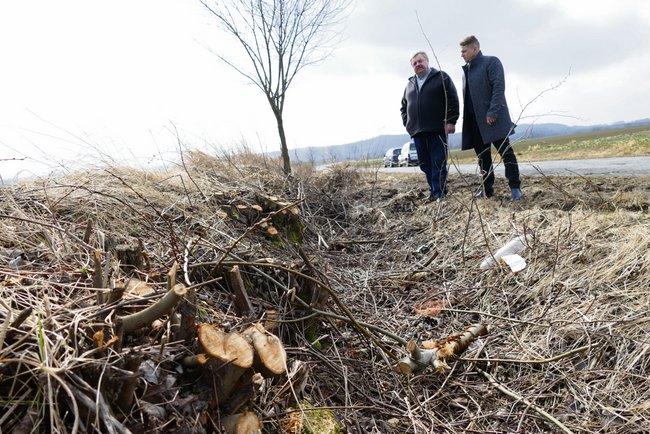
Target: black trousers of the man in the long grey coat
(484, 154)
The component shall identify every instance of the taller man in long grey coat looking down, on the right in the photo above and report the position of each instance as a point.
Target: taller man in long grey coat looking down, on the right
(486, 120)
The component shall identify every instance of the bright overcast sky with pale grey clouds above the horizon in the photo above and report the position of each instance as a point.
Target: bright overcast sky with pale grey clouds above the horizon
(83, 81)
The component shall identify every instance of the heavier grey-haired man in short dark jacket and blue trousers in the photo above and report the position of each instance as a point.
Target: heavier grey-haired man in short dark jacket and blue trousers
(430, 110)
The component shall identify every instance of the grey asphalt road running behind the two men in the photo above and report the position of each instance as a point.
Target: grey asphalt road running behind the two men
(615, 166)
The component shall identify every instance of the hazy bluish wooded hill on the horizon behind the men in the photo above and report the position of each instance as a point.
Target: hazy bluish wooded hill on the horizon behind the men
(377, 146)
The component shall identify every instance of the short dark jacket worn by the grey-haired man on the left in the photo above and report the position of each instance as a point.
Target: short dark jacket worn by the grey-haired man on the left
(433, 106)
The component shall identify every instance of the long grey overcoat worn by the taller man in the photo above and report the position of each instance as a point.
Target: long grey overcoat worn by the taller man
(487, 86)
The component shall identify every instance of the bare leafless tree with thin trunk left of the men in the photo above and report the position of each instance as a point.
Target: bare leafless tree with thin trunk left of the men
(280, 38)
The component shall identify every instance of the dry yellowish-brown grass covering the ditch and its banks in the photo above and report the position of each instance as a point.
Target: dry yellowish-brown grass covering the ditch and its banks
(567, 347)
